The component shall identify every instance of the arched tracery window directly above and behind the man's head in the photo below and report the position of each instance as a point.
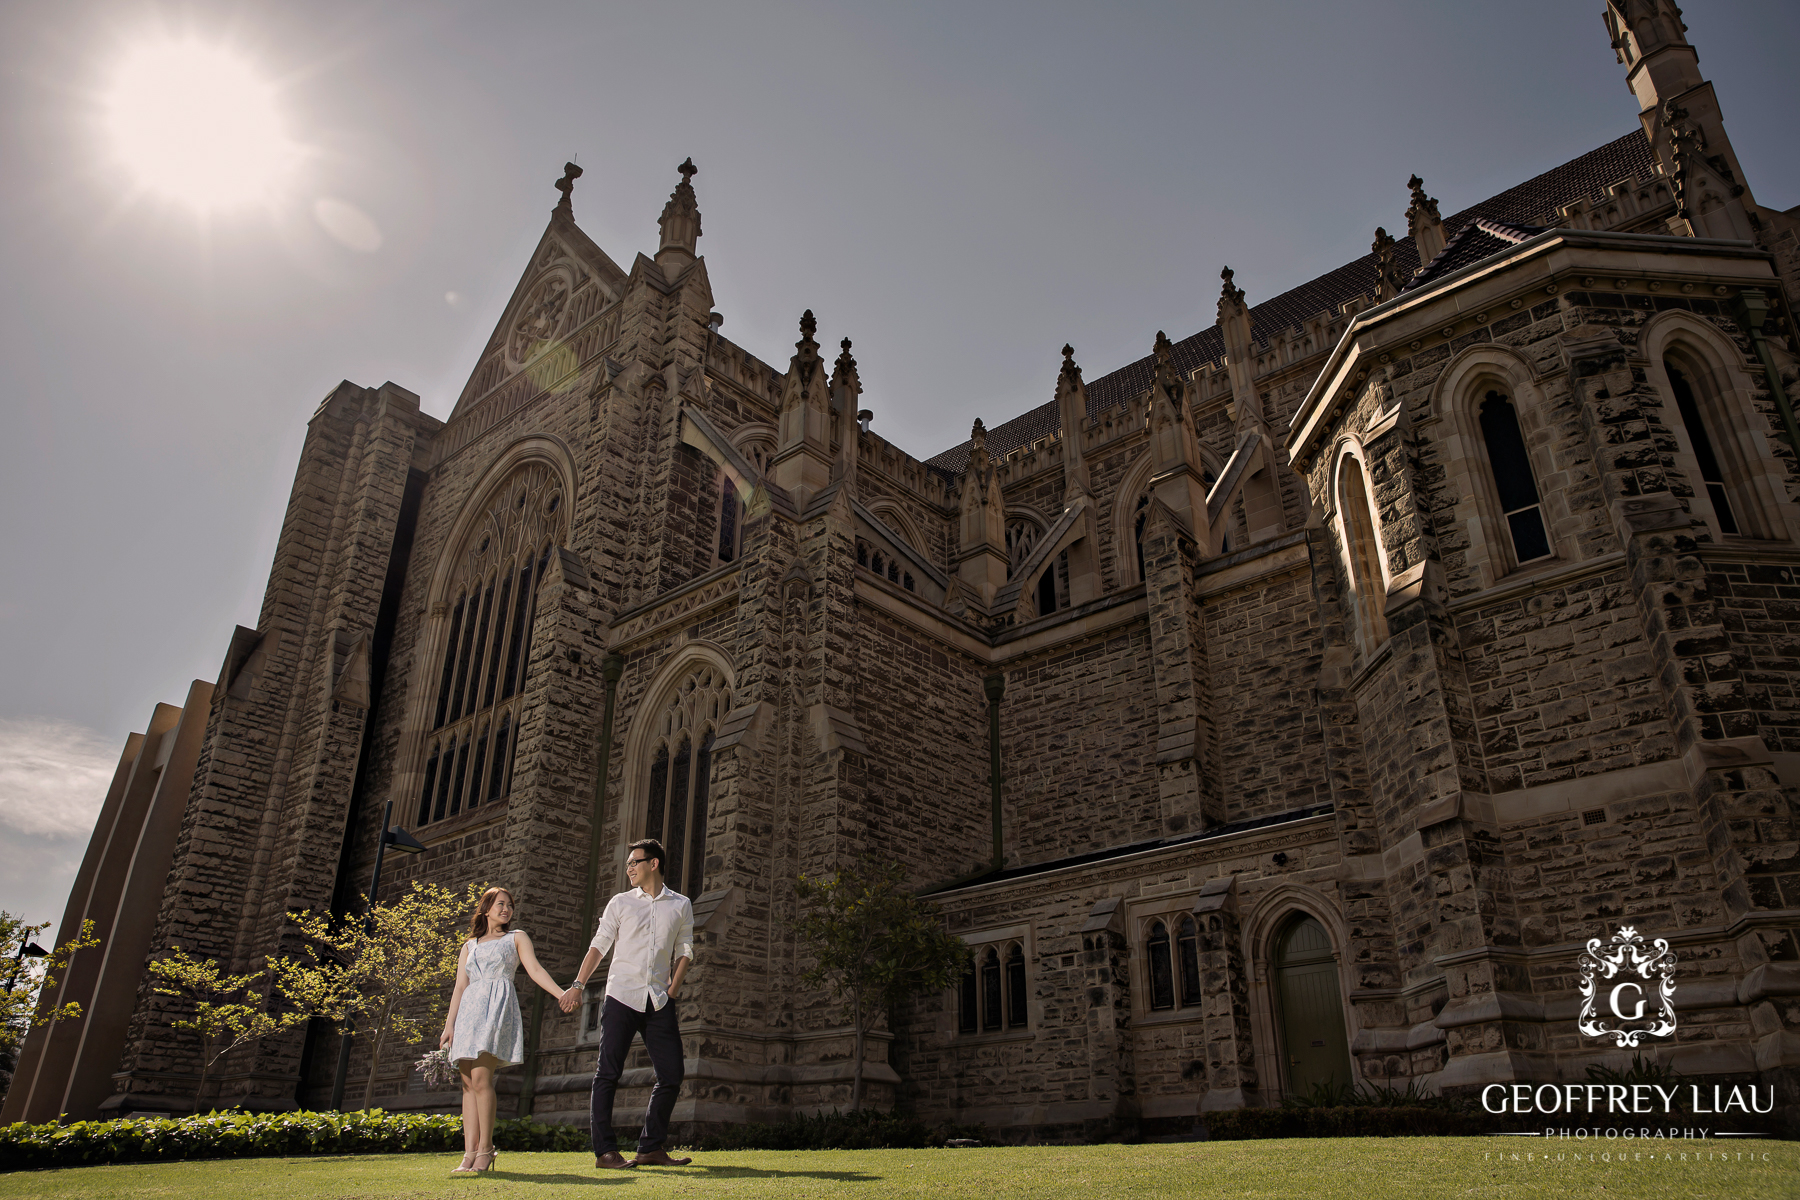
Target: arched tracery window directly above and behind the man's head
(681, 769)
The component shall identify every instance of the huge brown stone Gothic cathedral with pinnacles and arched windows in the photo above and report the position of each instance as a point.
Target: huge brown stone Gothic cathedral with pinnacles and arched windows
(1288, 706)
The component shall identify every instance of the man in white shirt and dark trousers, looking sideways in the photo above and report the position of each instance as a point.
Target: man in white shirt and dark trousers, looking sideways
(651, 936)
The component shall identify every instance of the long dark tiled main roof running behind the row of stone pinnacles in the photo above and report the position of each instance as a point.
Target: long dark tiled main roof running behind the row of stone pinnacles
(1533, 202)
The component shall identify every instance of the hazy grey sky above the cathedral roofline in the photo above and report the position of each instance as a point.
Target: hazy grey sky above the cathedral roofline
(960, 188)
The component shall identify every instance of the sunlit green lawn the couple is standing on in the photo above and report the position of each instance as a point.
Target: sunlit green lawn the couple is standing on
(1317, 1170)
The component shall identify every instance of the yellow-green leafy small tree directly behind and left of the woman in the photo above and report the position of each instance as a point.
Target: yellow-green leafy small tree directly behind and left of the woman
(381, 978)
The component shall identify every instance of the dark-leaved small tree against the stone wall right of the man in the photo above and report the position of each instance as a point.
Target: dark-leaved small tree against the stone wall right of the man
(874, 945)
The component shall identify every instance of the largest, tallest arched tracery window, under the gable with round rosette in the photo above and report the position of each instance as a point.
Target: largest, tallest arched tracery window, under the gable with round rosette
(492, 604)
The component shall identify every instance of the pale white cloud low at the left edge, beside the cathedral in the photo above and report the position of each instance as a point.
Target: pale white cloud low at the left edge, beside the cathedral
(53, 776)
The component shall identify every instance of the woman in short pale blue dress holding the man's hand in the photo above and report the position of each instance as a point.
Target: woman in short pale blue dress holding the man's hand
(483, 1028)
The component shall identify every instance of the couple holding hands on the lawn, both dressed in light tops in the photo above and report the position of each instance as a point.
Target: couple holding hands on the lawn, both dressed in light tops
(651, 936)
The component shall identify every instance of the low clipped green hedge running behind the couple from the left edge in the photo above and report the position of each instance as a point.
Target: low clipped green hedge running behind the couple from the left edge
(260, 1134)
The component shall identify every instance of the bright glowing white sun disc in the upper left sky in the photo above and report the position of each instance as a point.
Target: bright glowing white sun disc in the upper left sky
(199, 125)
